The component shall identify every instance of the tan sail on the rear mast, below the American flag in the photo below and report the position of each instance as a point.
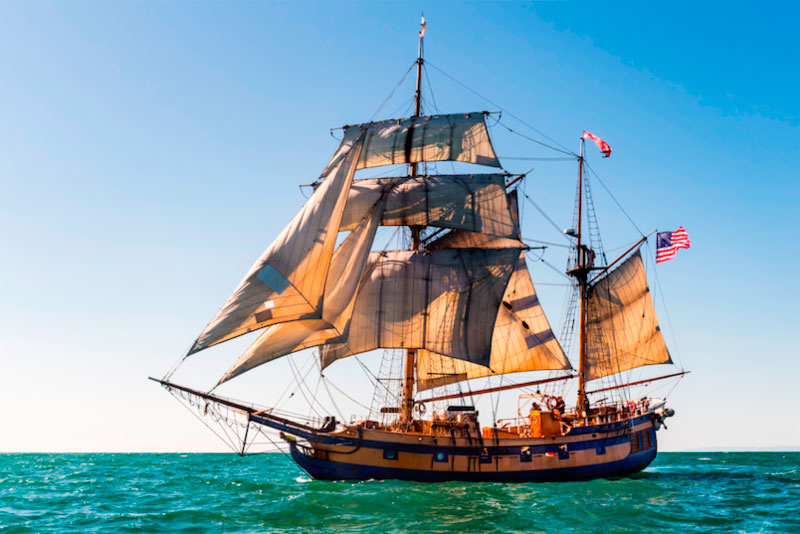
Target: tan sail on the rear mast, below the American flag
(622, 329)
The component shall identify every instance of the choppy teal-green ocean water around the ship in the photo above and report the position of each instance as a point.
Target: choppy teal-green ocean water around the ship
(679, 492)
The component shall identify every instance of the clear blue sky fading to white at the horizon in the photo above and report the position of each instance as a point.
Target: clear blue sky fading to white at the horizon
(150, 151)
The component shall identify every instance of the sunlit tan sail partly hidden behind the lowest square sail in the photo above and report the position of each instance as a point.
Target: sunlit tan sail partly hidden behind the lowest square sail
(522, 340)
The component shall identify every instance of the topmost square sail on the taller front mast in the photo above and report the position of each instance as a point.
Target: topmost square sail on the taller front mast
(458, 137)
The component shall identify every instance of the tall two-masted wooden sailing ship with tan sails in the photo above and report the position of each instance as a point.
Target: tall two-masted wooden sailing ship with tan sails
(455, 305)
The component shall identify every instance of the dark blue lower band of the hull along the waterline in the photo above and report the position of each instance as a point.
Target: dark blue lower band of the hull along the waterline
(327, 470)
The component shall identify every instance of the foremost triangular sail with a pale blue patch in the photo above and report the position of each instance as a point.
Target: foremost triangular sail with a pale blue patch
(287, 281)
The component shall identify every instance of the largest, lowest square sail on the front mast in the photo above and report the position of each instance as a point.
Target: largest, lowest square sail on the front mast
(445, 301)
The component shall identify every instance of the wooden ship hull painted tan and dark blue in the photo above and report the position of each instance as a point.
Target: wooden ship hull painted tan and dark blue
(601, 451)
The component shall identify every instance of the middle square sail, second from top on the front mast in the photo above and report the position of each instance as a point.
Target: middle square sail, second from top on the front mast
(470, 202)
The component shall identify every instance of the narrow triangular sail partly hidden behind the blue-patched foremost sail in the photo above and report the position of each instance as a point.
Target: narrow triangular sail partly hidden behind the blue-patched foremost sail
(343, 279)
